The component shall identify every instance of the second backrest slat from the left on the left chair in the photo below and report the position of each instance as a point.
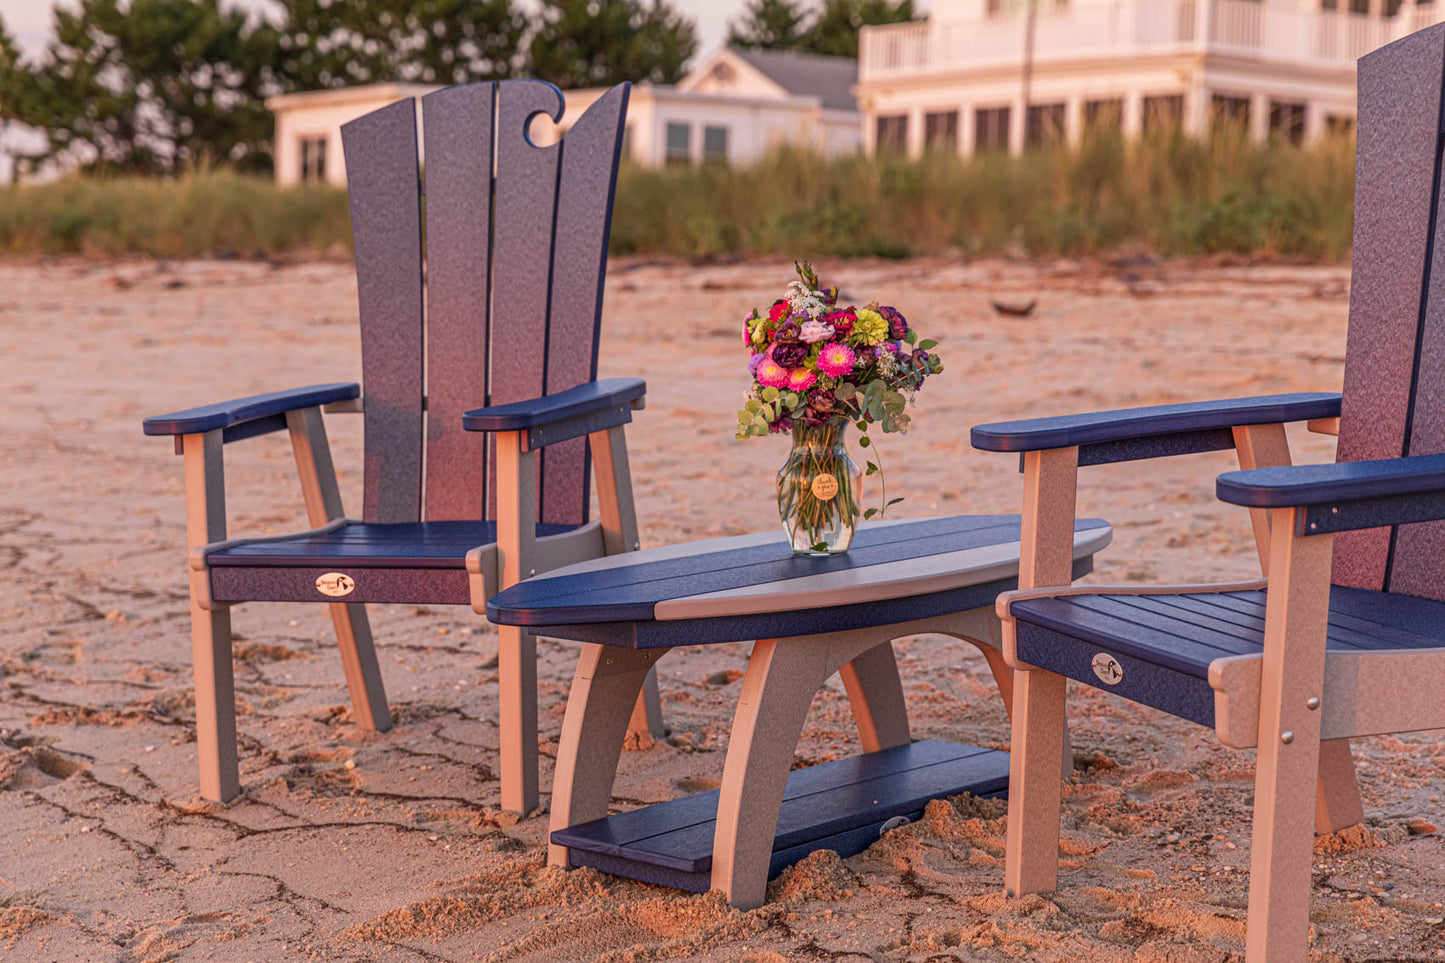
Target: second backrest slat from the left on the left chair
(457, 124)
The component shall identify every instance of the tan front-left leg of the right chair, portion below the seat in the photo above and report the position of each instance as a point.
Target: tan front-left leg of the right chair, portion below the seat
(1035, 790)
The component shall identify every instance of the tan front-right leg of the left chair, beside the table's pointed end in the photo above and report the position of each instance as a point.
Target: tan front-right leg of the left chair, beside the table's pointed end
(517, 647)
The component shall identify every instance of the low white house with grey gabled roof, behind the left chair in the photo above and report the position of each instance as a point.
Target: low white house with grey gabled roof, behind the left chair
(733, 108)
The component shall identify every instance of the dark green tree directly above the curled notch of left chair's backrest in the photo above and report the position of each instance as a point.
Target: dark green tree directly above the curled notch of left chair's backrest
(602, 43)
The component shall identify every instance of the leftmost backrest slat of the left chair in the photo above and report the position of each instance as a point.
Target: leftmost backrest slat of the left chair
(387, 226)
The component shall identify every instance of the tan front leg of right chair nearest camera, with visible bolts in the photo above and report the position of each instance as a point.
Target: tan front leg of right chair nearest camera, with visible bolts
(1297, 620)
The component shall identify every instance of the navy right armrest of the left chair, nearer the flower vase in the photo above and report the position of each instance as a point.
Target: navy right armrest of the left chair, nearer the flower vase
(564, 416)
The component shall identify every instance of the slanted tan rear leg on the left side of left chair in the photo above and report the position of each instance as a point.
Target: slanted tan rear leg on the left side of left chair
(323, 497)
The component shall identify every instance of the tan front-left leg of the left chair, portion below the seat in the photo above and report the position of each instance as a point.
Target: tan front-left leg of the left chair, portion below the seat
(215, 703)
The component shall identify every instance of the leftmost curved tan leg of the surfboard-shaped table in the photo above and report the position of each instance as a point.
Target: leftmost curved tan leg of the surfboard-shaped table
(599, 708)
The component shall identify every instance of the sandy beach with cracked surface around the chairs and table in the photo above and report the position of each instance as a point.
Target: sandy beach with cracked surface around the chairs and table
(361, 847)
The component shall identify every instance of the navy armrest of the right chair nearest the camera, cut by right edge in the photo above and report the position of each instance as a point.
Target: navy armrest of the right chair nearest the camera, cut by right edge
(1345, 497)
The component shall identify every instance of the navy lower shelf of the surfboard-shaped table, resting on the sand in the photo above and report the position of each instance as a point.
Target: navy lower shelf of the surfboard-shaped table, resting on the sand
(840, 806)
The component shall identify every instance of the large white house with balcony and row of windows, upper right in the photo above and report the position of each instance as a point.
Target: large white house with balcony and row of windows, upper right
(965, 79)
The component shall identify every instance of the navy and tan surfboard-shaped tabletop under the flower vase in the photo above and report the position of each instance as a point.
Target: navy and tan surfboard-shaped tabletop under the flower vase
(754, 586)
